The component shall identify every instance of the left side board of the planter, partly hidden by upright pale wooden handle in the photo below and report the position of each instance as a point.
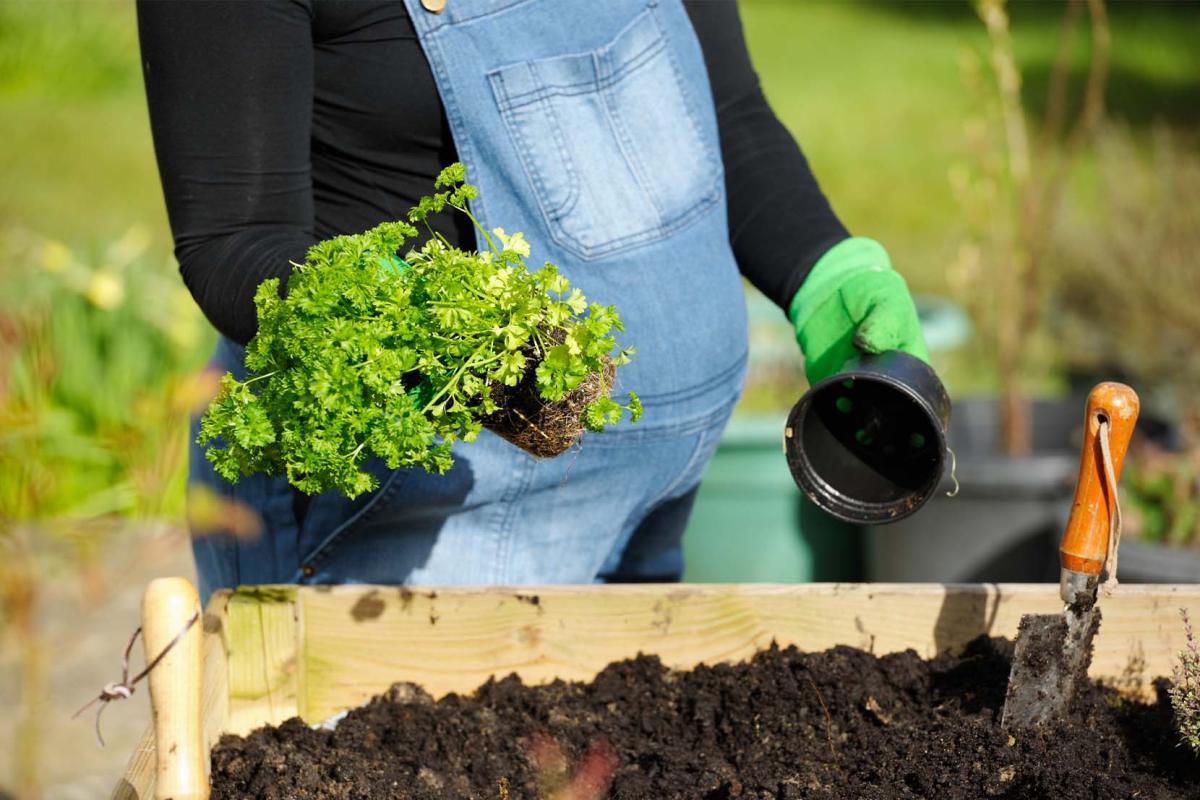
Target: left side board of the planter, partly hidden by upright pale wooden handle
(140, 777)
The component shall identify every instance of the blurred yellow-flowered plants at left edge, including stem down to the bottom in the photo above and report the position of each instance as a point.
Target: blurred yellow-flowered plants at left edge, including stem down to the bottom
(98, 378)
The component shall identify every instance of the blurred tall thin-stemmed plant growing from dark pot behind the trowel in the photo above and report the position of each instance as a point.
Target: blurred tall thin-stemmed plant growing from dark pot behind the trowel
(1010, 194)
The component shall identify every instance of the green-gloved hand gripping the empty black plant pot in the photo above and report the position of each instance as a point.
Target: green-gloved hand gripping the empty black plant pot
(853, 303)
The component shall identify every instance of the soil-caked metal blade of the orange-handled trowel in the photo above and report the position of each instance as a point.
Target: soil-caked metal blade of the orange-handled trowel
(1052, 659)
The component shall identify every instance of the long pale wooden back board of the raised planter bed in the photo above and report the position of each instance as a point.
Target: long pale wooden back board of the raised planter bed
(357, 641)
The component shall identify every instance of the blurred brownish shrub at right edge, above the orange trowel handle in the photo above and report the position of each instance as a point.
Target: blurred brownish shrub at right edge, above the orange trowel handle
(1129, 264)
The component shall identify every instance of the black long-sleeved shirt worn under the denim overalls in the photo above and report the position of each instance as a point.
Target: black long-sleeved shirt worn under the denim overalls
(280, 123)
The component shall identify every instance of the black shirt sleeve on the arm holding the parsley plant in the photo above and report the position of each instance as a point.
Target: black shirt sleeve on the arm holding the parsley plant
(230, 88)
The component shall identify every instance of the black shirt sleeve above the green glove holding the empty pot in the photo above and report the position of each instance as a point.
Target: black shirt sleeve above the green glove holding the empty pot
(781, 222)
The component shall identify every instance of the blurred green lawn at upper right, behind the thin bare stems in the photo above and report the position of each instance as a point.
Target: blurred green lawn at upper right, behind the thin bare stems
(873, 92)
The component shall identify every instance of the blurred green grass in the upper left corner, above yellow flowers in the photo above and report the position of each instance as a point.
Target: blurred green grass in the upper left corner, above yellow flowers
(77, 157)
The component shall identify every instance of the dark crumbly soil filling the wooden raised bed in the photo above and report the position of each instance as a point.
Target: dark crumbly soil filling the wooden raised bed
(841, 724)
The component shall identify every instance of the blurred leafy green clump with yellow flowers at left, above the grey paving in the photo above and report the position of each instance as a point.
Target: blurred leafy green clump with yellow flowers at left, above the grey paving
(98, 357)
